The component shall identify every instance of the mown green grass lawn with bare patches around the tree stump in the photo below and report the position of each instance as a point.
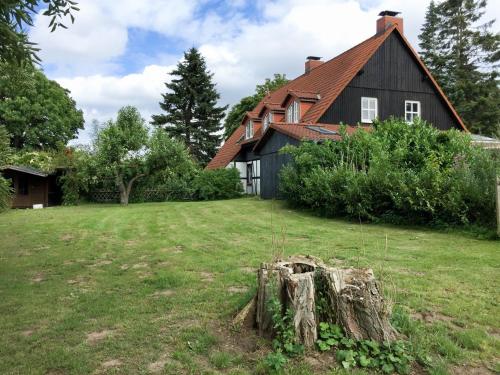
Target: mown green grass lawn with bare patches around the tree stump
(152, 287)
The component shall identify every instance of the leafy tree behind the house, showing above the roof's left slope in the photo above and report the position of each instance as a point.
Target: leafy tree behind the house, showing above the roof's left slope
(248, 103)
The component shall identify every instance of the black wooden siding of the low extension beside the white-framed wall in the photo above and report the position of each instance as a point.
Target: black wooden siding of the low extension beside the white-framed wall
(271, 162)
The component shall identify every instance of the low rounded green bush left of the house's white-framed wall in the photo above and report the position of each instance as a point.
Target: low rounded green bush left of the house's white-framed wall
(217, 184)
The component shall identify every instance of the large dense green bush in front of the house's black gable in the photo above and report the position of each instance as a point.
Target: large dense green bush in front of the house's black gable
(396, 172)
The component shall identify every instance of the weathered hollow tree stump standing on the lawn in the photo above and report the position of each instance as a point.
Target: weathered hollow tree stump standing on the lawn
(316, 293)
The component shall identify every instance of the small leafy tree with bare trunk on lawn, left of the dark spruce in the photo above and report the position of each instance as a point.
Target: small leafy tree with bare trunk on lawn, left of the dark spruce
(126, 152)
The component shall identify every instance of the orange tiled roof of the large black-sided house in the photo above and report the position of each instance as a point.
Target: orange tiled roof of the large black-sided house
(324, 83)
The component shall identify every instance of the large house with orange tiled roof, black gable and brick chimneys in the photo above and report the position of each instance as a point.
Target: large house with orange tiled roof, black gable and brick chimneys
(381, 77)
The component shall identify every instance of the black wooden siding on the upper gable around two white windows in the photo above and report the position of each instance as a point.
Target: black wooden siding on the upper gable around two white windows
(392, 76)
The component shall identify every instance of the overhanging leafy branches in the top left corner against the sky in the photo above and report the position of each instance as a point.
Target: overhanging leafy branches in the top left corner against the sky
(17, 15)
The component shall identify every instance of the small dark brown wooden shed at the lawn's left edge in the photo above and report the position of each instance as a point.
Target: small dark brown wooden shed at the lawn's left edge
(32, 186)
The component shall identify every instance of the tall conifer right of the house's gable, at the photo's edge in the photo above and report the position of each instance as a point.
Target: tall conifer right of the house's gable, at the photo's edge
(463, 56)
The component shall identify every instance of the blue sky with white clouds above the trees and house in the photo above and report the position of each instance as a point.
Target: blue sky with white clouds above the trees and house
(120, 53)
